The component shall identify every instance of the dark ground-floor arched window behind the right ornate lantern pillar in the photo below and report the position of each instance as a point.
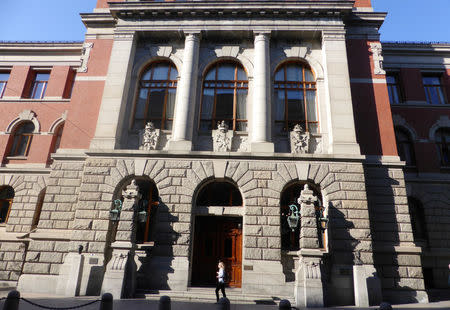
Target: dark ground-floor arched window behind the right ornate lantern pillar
(290, 239)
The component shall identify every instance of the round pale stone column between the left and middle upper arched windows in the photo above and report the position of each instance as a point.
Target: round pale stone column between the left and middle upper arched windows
(185, 101)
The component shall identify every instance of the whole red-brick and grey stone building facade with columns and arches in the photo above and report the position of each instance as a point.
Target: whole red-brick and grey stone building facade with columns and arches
(89, 150)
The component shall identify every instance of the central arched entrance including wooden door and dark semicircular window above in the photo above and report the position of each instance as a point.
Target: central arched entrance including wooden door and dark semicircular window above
(217, 237)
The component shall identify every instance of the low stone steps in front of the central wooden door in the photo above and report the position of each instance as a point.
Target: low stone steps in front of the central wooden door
(207, 295)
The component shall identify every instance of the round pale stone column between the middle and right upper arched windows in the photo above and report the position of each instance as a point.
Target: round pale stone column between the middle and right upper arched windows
(260, 134)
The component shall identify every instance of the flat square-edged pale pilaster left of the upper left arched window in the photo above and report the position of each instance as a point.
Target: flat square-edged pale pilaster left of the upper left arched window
(115, 94)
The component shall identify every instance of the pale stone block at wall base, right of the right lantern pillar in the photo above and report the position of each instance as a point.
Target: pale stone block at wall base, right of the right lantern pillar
(366, 285)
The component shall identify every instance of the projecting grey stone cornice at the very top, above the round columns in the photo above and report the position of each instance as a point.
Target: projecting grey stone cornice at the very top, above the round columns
(146, 9)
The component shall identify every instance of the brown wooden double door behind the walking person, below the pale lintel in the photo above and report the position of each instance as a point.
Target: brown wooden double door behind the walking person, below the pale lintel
(217, 238)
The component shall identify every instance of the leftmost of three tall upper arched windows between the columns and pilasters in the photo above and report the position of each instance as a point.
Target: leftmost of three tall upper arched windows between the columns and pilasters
(156, 96)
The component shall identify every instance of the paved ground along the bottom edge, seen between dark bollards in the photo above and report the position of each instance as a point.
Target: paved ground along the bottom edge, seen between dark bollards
(140, 304)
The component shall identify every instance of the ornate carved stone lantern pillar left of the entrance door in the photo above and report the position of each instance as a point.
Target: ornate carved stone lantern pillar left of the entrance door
(120, 275)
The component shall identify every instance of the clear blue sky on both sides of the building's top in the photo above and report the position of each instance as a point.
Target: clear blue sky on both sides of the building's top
(59, 20)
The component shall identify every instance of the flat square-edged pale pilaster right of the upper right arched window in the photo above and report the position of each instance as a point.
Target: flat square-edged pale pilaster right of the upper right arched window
(341, 124)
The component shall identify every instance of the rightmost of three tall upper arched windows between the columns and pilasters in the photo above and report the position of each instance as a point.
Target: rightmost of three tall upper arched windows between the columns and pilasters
(295, 98)
